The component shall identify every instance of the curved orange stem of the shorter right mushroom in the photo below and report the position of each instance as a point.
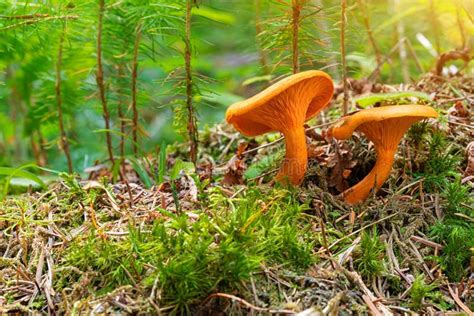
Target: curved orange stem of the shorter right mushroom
(374, 179)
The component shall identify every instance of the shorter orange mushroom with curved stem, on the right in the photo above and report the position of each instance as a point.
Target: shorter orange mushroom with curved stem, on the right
(385, 127)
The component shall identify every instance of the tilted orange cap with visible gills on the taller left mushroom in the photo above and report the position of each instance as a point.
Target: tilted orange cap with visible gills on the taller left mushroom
(302, 94)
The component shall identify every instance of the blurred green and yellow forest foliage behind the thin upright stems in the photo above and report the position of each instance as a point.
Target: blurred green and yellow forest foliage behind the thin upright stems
(226, 53)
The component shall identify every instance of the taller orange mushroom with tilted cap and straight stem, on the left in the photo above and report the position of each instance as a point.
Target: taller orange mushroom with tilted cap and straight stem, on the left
(284, 107)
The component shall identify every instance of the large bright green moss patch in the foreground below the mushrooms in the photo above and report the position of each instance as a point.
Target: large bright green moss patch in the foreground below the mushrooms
(189, 258)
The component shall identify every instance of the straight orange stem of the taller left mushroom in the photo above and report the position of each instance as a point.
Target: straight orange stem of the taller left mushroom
(294, 166)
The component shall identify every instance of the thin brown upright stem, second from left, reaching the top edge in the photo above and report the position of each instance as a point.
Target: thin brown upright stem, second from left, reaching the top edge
(100, 82)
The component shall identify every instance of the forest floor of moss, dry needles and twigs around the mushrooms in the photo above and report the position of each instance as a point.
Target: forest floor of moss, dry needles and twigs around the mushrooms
(225, 239)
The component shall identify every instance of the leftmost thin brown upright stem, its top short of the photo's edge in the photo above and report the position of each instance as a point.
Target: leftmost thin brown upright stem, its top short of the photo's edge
(59, 103)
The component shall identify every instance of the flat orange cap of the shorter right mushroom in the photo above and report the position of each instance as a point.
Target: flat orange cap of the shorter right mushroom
(344, 128)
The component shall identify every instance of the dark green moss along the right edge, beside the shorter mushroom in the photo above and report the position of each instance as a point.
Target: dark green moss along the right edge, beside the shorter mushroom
(456, 230)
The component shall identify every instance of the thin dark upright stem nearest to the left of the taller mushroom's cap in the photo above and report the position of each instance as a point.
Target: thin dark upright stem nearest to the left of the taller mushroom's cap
(192, 125)
